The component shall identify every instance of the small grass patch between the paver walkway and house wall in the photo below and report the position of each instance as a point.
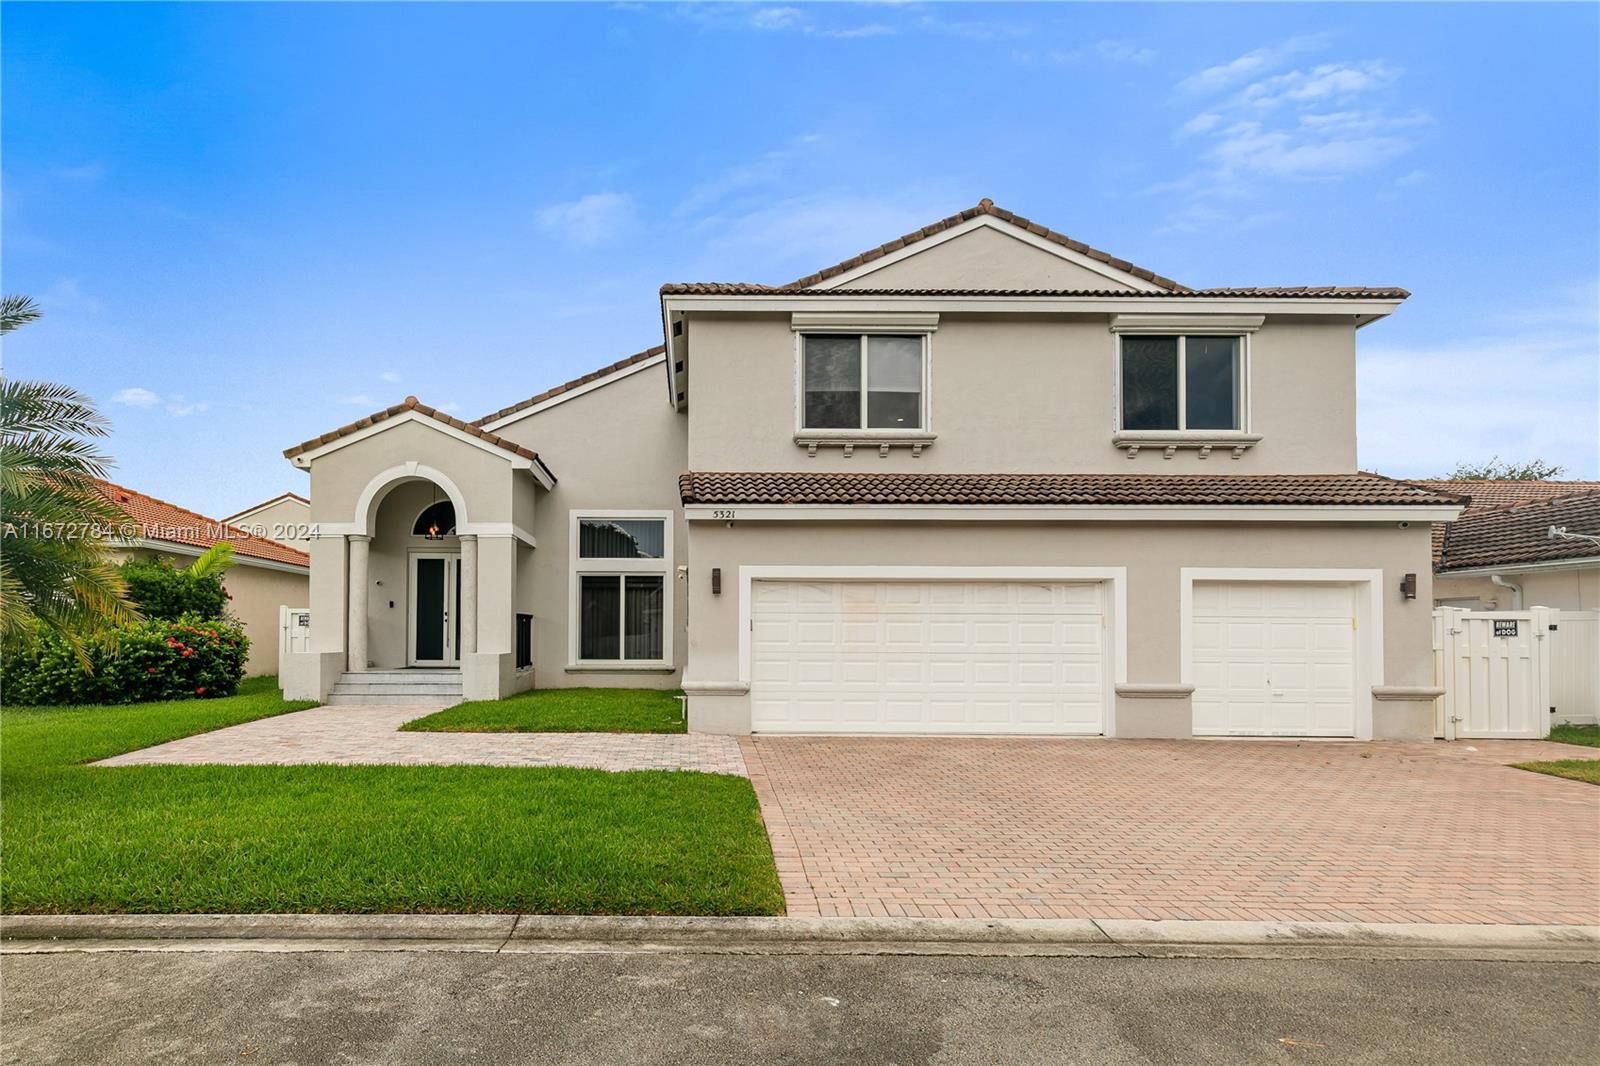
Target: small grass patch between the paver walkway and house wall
(564, 711)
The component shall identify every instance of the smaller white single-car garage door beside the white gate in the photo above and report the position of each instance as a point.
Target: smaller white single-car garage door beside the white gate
(1274, 659)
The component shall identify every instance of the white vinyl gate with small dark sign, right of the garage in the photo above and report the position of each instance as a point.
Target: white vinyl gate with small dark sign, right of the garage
(1495, 670)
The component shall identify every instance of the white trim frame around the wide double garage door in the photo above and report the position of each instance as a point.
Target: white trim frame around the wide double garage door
(1116, 579)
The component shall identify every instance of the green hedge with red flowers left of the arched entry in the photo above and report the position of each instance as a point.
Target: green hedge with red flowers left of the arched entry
(186, 659)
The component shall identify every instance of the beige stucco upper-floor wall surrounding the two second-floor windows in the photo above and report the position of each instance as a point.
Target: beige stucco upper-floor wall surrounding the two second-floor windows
(1022, 395)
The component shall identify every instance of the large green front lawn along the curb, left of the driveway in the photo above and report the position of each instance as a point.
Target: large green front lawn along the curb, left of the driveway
(358, 840)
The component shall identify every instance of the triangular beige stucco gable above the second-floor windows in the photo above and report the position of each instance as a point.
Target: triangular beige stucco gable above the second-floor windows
(985, 258)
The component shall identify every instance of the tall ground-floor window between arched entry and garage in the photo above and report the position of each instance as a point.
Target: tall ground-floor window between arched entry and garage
(622, 590)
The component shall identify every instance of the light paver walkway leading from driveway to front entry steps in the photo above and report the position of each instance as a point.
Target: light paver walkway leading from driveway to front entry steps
(369, 735)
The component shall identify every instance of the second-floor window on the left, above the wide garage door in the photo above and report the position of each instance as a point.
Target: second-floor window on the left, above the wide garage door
(862, 382)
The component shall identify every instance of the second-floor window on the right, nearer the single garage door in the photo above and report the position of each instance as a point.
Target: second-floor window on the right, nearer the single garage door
(1191, 383)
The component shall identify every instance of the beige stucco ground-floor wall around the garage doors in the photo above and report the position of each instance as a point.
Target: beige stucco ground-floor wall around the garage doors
(1153, 555)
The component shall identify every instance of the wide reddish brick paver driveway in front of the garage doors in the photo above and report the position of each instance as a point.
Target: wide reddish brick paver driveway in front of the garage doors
(1180, 830)
